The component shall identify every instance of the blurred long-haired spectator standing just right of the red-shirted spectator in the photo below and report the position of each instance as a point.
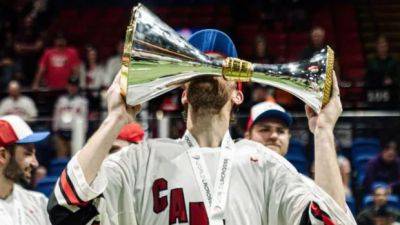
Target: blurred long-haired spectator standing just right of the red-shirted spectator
(92, 73)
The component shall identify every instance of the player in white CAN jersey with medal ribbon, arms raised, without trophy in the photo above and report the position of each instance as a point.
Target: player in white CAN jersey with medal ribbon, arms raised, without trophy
(203, 178)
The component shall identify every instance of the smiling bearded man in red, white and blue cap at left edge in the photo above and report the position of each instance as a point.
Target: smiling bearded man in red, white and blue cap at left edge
(17, 160)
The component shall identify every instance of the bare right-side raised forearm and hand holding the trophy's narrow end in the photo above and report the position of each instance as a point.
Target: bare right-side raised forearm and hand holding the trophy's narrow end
(327, 173)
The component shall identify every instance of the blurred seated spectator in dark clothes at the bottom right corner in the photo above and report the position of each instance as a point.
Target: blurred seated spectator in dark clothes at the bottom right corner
(380, 199)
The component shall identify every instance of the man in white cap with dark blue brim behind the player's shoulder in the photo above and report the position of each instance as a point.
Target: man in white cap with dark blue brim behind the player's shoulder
(269, 125)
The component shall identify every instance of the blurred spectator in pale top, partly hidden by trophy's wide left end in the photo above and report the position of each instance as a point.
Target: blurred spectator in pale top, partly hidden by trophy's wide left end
(113, 64)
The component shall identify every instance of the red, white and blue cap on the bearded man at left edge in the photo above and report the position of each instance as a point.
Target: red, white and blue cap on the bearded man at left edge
(14, 130)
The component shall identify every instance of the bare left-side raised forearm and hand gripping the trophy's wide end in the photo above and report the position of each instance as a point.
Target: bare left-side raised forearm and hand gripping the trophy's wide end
(97, 148)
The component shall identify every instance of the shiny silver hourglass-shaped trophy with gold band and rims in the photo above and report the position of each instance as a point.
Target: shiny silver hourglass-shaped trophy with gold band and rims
(156, 60)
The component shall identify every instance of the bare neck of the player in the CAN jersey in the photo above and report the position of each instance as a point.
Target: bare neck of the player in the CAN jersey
(208, 130)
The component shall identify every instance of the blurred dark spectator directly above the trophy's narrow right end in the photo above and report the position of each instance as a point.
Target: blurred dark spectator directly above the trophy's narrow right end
(317, 43)
